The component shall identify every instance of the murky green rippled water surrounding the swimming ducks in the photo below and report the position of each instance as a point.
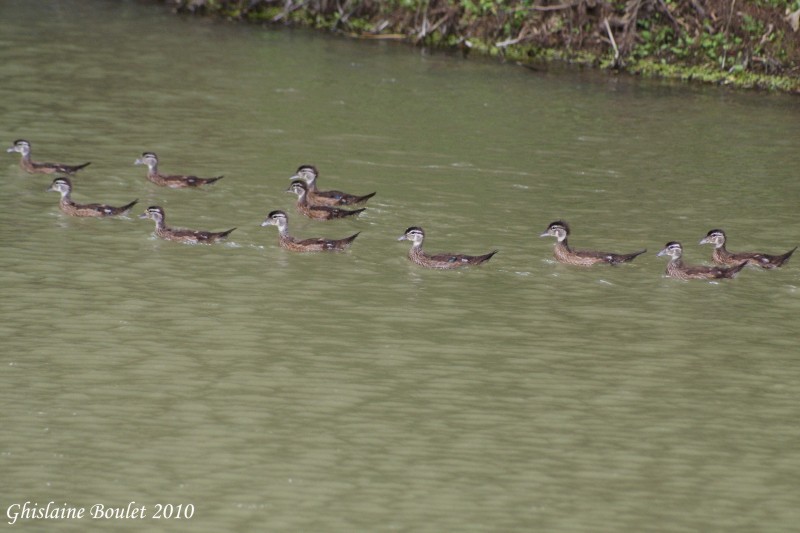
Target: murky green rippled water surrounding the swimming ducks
(275, 391)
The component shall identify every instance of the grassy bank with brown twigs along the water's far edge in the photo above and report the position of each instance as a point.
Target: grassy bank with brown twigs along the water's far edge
(743, 43)
